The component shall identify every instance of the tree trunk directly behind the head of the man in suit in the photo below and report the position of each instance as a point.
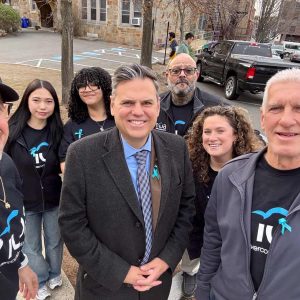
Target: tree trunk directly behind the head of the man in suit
(146, 52)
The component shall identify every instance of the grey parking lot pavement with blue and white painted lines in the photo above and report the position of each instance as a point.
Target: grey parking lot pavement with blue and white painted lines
(43, 50)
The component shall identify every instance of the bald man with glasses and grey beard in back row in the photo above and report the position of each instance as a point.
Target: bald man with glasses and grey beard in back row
(184, 100)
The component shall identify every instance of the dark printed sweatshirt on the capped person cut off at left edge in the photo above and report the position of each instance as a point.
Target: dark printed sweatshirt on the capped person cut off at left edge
(12, 225)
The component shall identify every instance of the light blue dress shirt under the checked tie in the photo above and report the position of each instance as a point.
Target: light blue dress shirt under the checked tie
(131, 161)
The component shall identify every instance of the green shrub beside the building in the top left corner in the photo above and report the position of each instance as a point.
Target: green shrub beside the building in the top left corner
(9, 18)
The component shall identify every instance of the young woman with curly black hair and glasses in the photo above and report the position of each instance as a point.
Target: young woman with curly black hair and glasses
(88, 107)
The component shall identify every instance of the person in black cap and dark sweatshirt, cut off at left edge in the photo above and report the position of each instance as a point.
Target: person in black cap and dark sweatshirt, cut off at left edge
(14, 270)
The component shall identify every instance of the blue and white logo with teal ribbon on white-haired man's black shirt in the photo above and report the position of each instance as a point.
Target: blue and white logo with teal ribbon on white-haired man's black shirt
(281, 221)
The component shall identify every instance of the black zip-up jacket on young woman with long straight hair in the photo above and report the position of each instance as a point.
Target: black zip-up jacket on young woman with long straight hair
(41, 193)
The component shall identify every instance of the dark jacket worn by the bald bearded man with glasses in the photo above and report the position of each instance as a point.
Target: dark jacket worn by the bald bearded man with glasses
(200, 99)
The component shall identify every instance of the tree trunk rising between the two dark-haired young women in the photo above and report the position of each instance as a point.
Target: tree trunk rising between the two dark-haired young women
(67, 69)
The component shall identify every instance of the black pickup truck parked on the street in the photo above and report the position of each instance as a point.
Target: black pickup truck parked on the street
(239, 66)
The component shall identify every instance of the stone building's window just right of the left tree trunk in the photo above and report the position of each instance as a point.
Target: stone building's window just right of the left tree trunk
(93, 10)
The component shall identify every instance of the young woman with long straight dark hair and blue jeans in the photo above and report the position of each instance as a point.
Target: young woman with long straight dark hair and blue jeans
(35, 134)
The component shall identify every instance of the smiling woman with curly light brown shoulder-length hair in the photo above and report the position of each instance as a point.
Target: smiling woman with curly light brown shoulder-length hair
(218, 134)
